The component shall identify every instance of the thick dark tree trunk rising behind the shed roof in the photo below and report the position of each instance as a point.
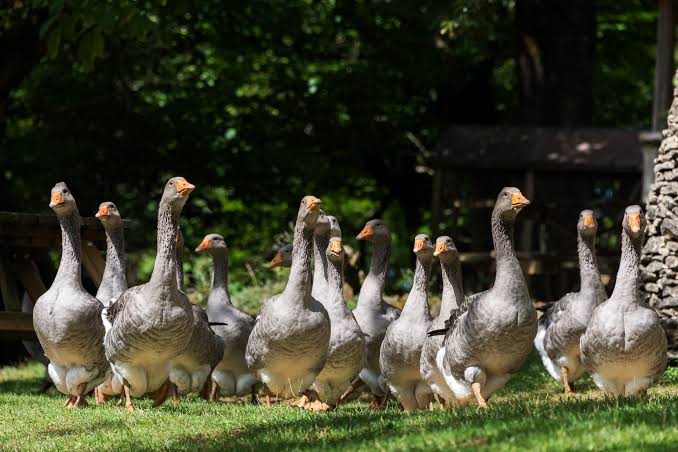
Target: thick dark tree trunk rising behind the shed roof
(555, 53)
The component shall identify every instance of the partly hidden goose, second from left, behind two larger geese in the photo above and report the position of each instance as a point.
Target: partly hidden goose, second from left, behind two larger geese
(113, 282)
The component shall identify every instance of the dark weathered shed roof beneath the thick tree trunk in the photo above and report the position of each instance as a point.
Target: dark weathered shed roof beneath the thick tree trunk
(540, 148)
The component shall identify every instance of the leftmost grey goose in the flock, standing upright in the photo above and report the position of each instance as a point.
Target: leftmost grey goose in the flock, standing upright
(67, 319)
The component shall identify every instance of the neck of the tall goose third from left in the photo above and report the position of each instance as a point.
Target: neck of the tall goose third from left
(164, 269)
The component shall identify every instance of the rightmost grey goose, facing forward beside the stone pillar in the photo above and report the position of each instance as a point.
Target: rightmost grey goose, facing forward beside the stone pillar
(624, 346)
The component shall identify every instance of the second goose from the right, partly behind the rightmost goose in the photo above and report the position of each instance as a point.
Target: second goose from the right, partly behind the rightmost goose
(563, 323)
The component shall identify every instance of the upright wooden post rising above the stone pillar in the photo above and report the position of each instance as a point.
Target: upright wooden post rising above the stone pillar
(663, 68)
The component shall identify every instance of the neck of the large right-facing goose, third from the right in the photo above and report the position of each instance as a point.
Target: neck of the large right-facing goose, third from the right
(509, 273)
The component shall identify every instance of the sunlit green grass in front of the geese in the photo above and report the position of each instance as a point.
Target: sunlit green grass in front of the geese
(529, 413)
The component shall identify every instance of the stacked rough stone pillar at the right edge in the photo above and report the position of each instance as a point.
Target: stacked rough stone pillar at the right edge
(659, 264)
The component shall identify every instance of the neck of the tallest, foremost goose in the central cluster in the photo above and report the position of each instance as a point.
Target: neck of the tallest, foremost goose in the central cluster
(298, 288)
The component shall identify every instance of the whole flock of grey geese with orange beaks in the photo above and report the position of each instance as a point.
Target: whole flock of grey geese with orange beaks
(307, 348)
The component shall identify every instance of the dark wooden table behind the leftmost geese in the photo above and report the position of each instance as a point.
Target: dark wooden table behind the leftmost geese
(25, 238)
